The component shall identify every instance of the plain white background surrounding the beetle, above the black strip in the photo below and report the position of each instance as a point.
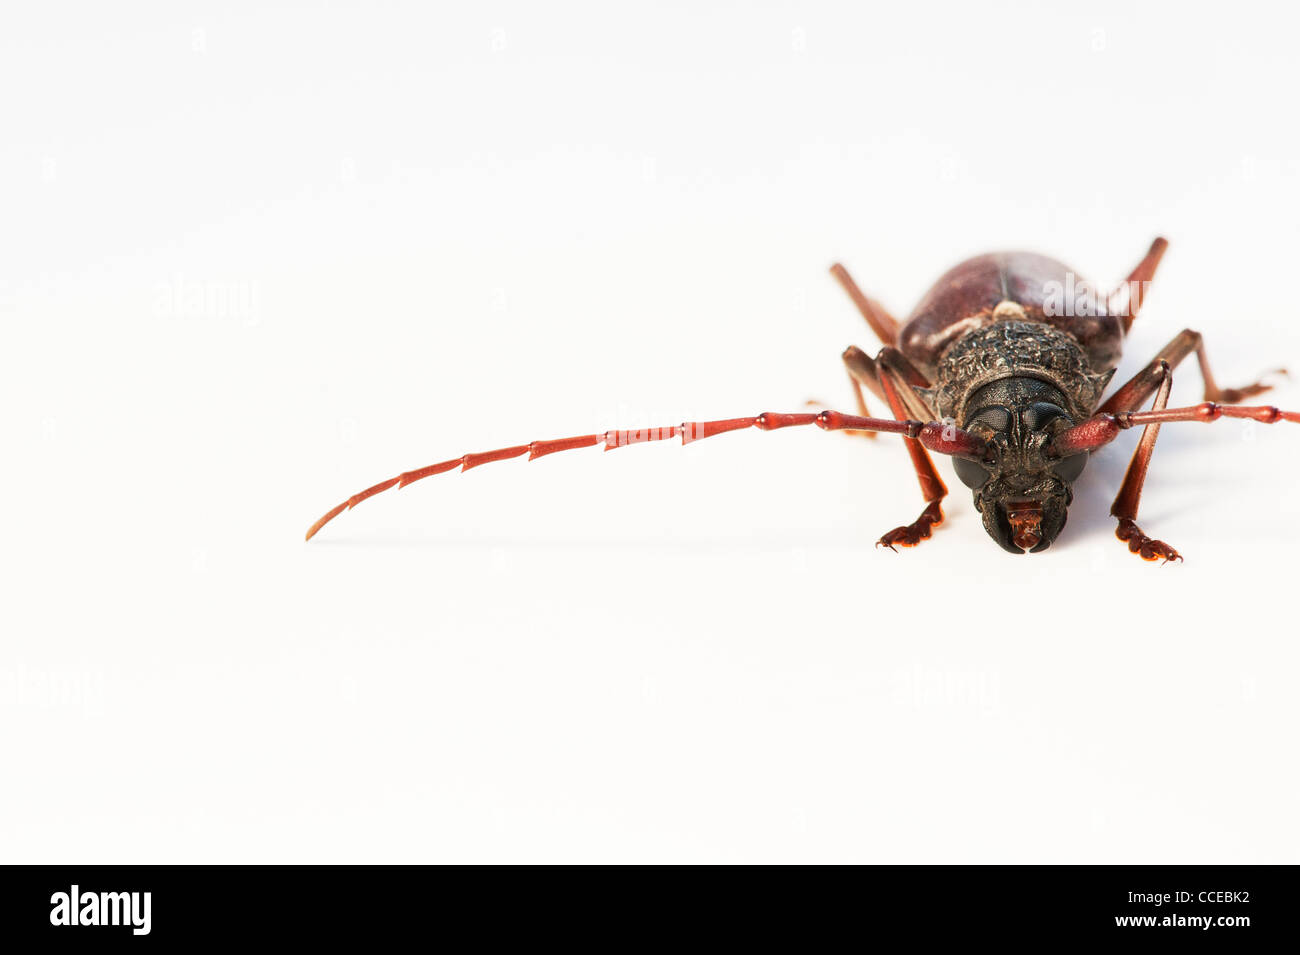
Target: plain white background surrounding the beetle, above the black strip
(255, 259)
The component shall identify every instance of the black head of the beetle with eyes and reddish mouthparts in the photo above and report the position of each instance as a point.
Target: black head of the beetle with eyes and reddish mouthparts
(1022, 489)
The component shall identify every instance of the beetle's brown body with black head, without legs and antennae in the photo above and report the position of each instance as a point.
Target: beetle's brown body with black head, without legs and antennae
(994, 319)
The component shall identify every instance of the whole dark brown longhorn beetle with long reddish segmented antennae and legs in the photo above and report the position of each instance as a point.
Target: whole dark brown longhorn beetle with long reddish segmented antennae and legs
(1002, 367)
